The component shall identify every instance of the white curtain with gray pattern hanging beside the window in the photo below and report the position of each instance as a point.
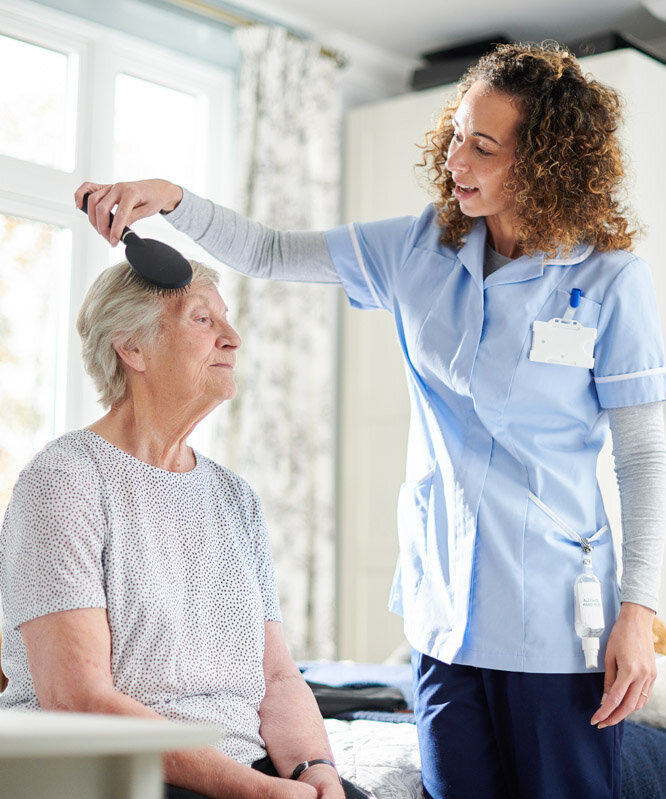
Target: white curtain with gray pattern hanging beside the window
(279, 432)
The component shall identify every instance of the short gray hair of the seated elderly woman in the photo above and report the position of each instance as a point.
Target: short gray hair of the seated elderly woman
(122, 310)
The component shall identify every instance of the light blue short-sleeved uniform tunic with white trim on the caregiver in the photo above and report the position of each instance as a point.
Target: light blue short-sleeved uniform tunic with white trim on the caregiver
(501, 465)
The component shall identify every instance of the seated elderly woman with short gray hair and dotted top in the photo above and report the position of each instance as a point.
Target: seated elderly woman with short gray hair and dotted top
(136, 574)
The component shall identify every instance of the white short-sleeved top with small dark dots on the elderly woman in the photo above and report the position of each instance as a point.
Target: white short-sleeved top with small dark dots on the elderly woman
(180, 561)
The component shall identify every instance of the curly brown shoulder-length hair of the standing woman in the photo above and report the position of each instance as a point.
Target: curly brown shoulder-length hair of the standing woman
(568, 172)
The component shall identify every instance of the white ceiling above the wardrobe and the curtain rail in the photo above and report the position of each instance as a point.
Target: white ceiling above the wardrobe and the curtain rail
(409, 28)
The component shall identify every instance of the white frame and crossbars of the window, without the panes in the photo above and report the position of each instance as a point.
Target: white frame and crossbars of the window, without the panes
(45, 194)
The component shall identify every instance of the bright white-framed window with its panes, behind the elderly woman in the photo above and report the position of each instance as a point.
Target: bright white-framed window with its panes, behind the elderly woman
(82, 103)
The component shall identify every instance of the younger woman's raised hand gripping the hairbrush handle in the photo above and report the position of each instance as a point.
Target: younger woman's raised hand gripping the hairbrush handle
(131, 201)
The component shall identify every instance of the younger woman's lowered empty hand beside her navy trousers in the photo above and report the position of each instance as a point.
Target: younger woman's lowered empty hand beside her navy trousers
(630, 665)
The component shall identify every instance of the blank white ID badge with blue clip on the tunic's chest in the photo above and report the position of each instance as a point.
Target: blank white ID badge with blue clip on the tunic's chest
(564, 340)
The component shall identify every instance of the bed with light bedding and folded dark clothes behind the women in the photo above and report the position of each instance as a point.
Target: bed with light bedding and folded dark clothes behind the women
(377, 749)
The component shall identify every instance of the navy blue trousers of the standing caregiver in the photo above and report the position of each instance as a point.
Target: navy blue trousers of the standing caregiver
(488, 734)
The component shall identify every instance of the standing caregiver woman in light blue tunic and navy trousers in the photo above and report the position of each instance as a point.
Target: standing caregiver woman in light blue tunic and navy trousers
(528, 328)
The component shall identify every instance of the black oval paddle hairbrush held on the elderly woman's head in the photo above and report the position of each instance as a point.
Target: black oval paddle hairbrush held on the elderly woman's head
(159, 267)
